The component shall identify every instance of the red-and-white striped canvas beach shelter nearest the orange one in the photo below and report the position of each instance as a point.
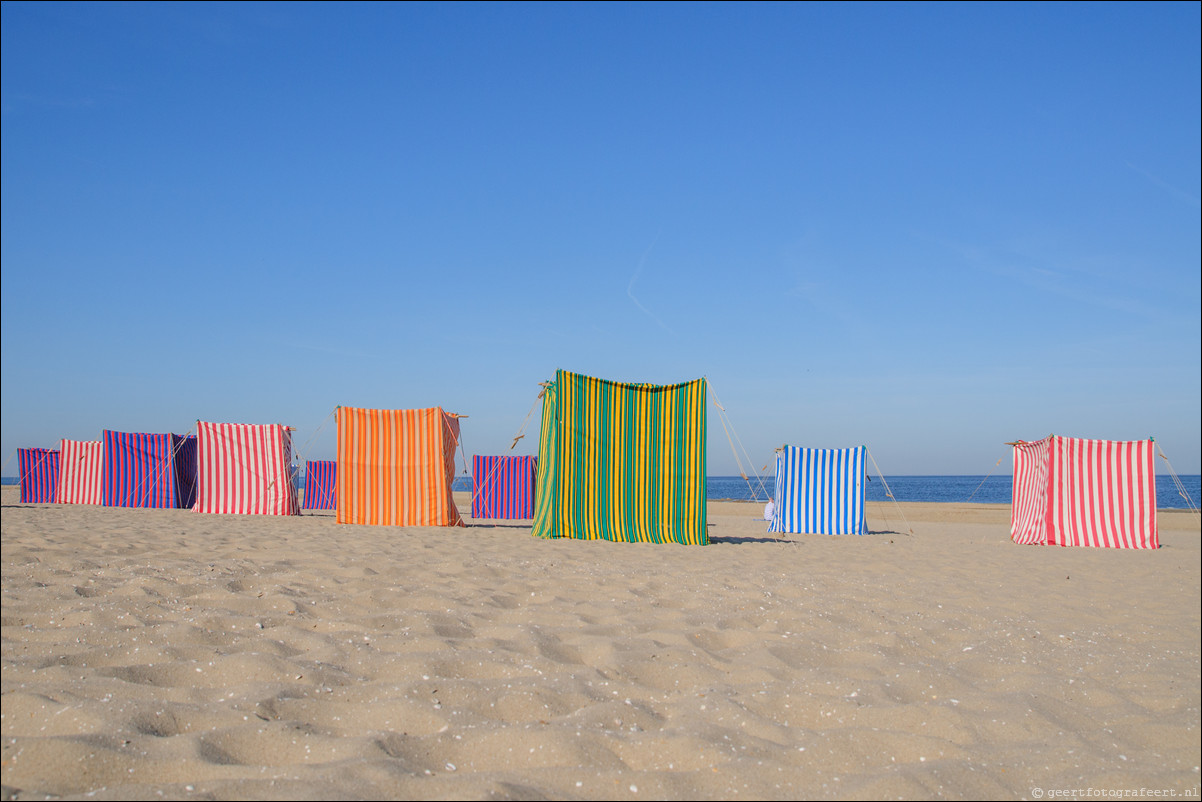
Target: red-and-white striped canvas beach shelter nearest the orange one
(245, 470)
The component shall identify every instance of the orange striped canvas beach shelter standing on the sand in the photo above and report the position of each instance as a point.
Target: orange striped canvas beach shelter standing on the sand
(396, 467)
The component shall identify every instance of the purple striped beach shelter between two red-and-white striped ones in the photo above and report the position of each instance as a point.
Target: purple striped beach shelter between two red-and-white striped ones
(140, 471)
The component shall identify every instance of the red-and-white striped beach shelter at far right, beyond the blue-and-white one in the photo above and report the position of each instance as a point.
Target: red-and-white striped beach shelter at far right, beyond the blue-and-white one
(1098, 494)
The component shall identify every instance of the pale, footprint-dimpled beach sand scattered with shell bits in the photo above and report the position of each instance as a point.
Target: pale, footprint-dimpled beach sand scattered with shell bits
(166, 655)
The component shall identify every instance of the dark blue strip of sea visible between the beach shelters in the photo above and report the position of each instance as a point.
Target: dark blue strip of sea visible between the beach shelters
(978, 490)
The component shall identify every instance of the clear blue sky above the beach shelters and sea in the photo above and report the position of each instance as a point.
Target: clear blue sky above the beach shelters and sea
(929, 229)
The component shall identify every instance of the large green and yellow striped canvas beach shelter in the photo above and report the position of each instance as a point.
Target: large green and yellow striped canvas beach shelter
(623, 462)
